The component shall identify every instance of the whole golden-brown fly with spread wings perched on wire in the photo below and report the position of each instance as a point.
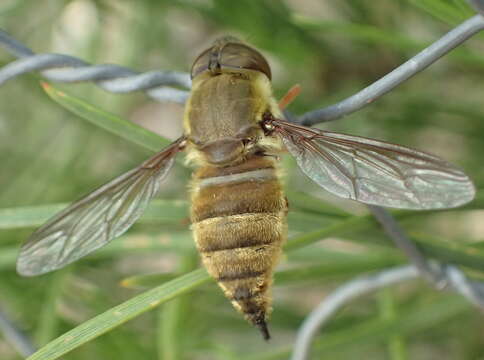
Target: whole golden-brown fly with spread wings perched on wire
(233, 128)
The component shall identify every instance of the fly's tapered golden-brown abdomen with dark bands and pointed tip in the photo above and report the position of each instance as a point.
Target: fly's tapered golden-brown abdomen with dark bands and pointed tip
(238, 216)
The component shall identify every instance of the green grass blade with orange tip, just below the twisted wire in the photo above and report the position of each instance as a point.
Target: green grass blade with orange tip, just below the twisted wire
(110, 122)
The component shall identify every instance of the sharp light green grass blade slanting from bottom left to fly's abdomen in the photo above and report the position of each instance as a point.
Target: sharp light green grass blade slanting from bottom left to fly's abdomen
(119, 315)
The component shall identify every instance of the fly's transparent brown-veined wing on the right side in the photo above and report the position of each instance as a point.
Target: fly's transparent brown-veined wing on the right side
(375, 172)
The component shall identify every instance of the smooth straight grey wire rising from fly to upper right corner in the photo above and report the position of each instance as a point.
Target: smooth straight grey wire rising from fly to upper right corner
(402, 73)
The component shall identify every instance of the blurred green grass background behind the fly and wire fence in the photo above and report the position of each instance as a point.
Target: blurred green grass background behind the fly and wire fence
(333, 49)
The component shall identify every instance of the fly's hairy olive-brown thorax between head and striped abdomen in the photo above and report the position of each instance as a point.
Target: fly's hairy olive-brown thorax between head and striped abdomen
(222, 117)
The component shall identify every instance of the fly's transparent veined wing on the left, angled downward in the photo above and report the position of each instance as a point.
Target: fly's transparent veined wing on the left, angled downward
(96, 219)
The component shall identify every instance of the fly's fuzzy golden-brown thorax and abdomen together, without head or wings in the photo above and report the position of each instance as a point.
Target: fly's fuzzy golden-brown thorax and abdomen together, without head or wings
(238, 206)
